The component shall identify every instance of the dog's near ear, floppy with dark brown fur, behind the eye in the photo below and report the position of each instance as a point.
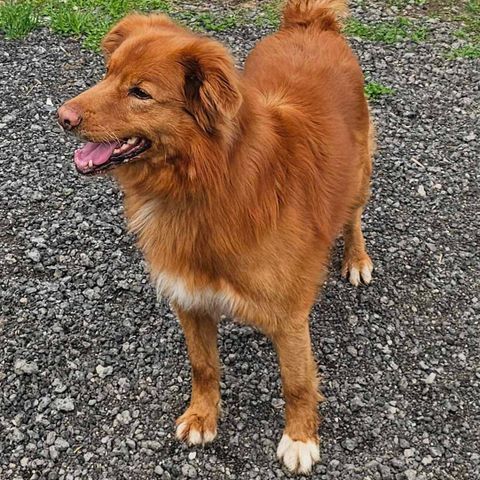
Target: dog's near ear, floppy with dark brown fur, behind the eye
(211, 84)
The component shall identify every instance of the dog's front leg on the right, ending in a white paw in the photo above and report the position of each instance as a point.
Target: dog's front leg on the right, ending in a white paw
(298, 448)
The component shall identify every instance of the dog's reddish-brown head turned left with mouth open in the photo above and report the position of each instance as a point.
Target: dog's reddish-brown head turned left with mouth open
(164, 87)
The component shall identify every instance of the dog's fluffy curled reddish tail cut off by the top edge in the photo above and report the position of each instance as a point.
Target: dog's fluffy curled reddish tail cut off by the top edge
(321, 14)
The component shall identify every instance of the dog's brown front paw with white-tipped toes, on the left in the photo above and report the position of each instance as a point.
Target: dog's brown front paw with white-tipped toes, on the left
(196, 429)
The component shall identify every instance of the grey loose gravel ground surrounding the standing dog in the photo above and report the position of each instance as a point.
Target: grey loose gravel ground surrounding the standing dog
(93, 371)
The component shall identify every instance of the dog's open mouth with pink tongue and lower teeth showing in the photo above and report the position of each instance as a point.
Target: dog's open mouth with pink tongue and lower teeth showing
(99, 157)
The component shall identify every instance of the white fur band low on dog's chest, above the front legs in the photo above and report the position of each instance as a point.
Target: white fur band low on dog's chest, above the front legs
(198, 299)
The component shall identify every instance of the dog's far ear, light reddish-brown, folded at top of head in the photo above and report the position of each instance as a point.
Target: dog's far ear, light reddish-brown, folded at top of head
(131, 25)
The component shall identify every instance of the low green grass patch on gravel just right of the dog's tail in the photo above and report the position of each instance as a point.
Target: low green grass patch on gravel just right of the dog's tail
(388, 32)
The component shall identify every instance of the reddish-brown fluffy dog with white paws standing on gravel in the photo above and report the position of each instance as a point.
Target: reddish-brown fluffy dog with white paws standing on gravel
(237, 184)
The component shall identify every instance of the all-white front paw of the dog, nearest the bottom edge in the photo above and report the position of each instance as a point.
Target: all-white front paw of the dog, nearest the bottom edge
(298, 457)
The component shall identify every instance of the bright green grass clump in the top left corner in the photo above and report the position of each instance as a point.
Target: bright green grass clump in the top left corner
(18, 19)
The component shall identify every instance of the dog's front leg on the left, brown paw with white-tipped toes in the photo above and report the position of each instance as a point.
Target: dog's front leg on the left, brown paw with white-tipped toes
(198, 425)
